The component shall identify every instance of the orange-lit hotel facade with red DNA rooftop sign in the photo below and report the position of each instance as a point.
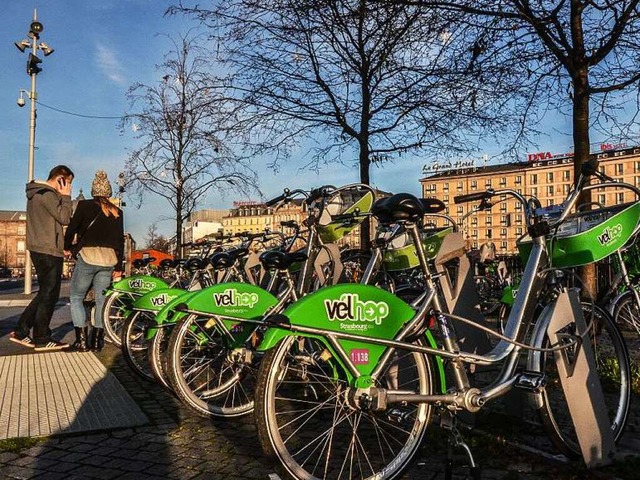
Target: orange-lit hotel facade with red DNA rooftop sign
(545, 176)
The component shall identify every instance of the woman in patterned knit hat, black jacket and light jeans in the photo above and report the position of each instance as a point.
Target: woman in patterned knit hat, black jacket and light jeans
(98, 231)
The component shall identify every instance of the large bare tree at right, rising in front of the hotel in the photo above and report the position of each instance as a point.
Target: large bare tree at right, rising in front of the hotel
(569, 54)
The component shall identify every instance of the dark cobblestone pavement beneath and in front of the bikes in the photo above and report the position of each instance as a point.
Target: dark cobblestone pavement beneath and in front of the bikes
(177, 444)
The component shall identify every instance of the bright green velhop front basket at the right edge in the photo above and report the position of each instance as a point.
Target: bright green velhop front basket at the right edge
(588, 237)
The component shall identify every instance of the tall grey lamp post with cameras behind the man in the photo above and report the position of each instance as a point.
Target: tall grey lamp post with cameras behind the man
(35, 29)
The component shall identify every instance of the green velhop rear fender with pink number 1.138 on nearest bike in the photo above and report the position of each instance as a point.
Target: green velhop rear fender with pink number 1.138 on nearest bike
(361, 310)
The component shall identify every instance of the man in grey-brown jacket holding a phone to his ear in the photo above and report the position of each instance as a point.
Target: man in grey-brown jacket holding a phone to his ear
(49, 208)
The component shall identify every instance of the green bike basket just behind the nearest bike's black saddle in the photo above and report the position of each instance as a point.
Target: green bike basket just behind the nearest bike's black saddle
(402, 255)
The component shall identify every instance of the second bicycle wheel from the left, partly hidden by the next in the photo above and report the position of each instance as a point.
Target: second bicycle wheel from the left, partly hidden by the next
(135, 346)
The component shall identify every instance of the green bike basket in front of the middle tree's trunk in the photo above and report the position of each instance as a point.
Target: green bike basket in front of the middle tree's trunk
(342, 202)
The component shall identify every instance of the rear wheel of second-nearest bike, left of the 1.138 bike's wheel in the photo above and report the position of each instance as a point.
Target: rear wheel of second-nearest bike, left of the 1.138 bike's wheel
(203, 373)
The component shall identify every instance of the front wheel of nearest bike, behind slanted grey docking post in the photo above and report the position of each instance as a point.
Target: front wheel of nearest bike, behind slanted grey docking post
(614, 371)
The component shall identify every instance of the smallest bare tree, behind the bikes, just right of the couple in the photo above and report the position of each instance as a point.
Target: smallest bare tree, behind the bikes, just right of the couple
(181, 122)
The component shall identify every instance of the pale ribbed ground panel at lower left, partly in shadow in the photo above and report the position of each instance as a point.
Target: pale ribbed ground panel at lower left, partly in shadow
(55, 393)
